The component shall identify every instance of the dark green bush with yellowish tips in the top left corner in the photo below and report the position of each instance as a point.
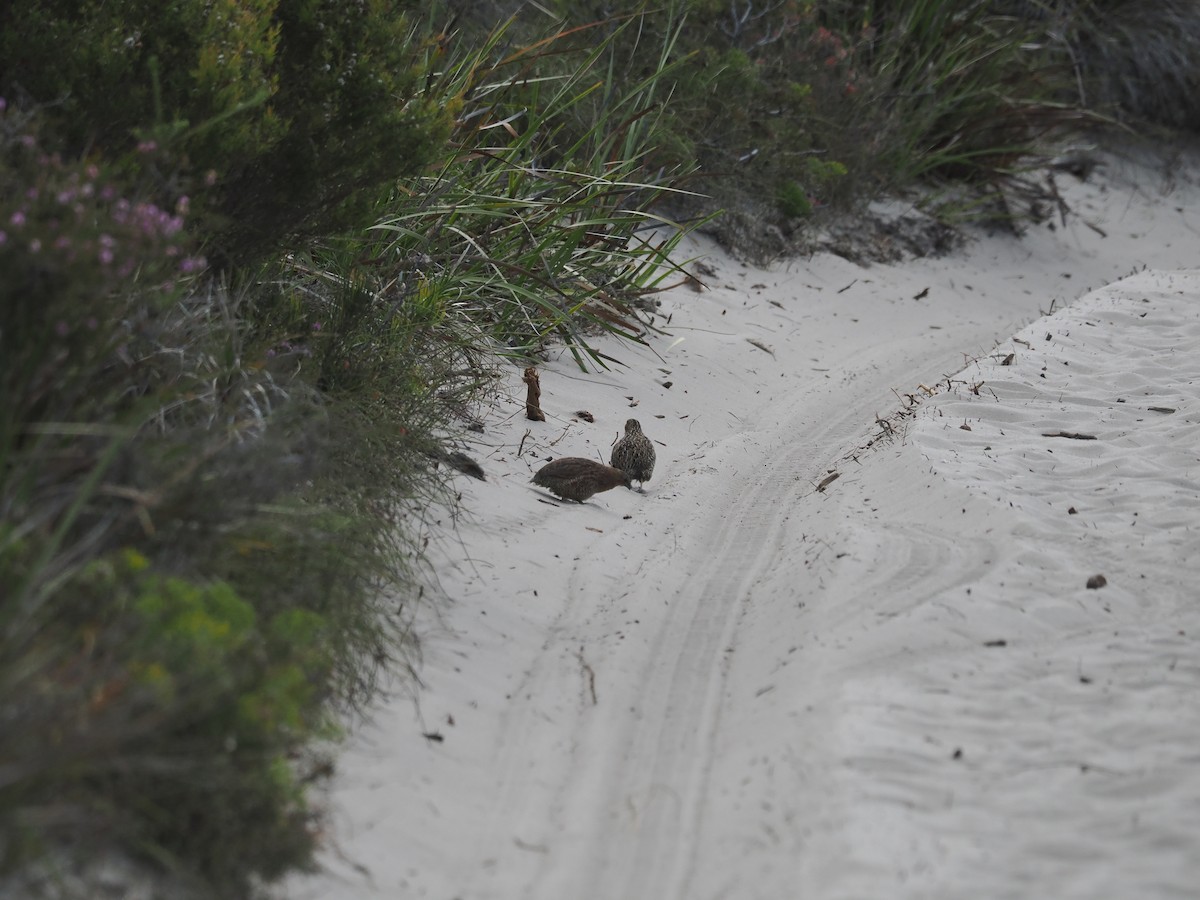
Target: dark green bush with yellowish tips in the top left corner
(283, 119)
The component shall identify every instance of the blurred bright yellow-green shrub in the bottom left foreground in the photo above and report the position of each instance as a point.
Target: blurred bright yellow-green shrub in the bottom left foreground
(166, 712)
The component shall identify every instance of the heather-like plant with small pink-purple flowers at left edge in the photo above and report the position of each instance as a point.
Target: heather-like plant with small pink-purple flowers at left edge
(76, 255)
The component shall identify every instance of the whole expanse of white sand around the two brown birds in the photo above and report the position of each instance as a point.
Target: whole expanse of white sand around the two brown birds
(736, 686)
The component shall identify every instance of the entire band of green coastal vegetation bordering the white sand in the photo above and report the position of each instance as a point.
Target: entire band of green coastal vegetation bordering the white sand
(257, 262)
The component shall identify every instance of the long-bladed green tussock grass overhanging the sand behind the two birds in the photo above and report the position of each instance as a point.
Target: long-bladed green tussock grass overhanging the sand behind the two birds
(541, 223)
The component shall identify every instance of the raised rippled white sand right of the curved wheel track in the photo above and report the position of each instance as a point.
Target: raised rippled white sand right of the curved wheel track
(1089, 784)
